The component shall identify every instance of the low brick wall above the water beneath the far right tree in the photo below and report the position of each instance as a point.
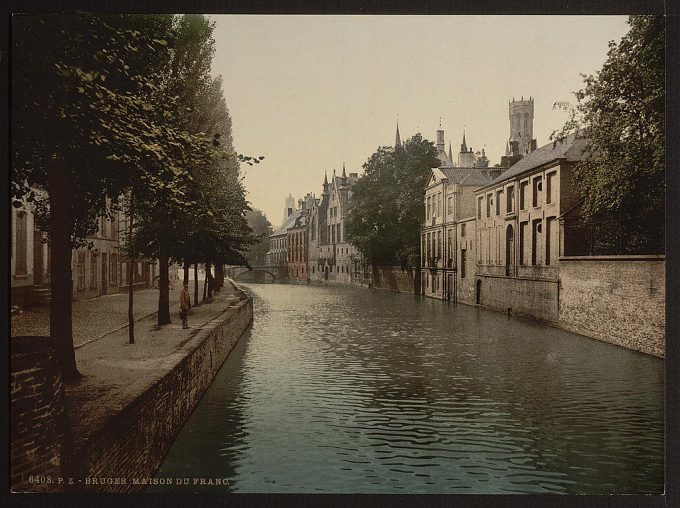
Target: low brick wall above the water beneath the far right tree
(617, 299)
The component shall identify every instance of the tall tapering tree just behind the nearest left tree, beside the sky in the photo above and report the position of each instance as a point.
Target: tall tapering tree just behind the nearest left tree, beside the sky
(208, 226)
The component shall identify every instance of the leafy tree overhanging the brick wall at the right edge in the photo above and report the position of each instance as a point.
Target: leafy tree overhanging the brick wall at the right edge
(621, 112)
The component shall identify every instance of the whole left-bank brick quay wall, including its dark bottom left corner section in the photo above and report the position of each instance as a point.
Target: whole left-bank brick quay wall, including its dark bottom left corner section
(129, 445)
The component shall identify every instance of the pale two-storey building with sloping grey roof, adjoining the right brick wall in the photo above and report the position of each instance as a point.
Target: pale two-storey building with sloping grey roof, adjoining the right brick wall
(517, 231)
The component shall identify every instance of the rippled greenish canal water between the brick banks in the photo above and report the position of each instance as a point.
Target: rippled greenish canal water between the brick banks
(345, 390)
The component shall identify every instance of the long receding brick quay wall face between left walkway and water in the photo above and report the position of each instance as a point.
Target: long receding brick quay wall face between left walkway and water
(135, 442)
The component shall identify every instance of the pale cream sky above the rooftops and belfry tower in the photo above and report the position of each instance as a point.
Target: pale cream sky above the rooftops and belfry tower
(309, 92)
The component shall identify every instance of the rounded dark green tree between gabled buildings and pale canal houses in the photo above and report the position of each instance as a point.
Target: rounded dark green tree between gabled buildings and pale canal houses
(386, 210)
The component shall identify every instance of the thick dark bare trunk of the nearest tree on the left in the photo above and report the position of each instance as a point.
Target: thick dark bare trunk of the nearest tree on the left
(61, 226)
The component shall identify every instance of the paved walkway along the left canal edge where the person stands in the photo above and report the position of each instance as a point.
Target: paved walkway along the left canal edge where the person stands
(116, 373)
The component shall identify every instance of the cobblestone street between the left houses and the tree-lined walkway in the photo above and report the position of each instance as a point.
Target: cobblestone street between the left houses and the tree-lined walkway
(96, 317)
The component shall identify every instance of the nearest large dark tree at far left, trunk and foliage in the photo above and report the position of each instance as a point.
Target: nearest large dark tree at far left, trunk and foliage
(82, 131)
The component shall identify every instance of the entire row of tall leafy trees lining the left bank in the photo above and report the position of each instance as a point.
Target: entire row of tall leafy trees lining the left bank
(121, 112)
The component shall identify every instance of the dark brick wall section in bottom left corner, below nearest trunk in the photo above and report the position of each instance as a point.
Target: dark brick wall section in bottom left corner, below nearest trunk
(39, 427)
